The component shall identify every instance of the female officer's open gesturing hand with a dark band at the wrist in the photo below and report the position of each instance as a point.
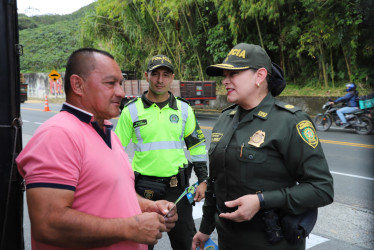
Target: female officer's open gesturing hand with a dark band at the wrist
(248, 206)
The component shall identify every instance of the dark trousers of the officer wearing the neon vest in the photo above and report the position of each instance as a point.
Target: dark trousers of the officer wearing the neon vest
(181, 235)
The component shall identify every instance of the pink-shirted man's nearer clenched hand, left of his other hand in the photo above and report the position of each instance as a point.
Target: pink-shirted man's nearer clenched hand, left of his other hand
(148, 229)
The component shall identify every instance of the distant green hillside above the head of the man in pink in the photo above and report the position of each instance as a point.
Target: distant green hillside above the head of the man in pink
(48, 40)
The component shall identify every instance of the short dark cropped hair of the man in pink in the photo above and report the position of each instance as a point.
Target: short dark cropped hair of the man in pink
(81, 62)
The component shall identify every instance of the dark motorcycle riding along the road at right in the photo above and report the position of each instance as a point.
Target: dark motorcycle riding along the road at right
(359, 119)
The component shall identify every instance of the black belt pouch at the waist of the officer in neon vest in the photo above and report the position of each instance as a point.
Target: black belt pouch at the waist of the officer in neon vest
(151, 190)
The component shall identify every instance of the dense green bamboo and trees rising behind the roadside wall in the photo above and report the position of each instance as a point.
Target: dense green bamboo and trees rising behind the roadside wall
(316, 42)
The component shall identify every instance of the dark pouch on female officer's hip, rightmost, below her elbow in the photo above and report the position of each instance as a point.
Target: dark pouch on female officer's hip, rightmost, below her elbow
(298, 227)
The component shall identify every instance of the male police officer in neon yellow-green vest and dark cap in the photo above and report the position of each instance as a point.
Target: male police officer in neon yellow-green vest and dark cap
(159, 124)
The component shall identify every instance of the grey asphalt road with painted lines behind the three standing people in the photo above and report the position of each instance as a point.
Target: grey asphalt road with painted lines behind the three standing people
(348, 223)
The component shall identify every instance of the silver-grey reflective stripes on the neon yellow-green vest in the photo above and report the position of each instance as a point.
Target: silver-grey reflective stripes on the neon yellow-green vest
(143, 147)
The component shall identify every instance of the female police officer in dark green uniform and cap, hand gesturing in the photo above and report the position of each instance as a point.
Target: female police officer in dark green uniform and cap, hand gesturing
(265, 156)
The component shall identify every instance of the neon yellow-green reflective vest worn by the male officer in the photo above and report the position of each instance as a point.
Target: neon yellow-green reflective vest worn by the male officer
(159, 135)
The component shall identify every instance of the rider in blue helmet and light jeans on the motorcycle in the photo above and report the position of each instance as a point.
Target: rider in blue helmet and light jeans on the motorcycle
(351, 100)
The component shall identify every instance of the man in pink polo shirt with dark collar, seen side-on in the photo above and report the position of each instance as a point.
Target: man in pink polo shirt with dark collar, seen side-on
(80, 184)
